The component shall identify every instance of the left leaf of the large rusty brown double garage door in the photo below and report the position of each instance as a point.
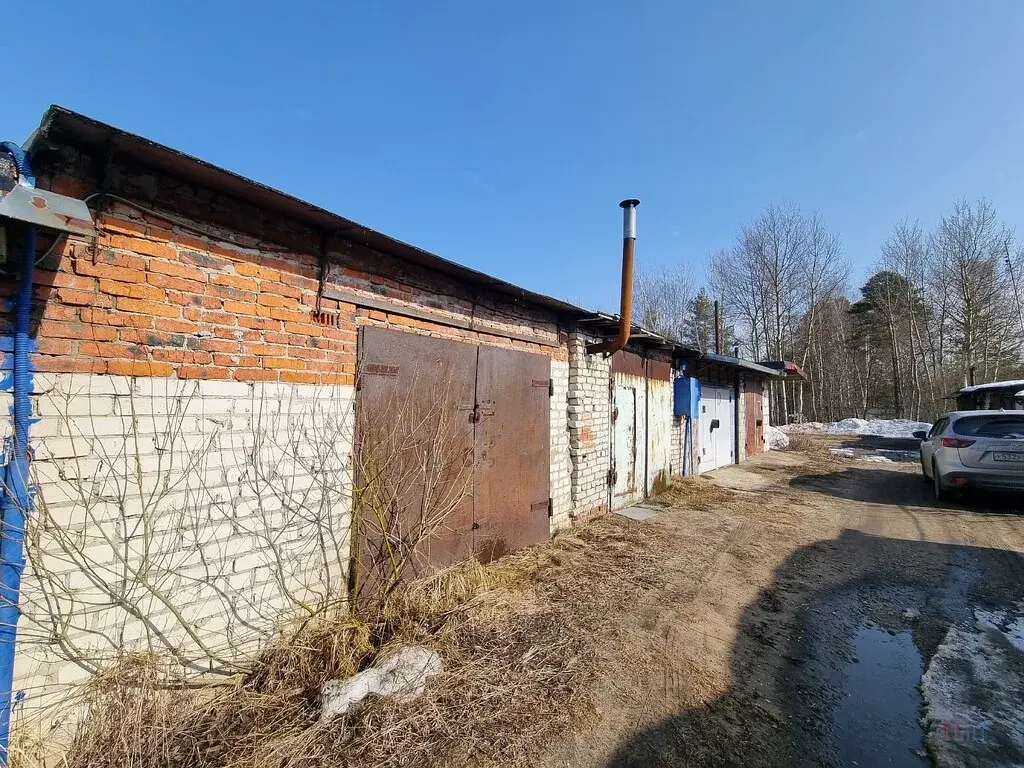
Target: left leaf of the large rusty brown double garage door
(403, 379)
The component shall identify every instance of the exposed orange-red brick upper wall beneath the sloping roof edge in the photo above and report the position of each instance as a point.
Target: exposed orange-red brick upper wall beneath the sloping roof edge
(216, 289)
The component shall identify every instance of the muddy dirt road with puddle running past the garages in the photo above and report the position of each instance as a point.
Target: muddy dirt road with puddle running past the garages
(785, 614)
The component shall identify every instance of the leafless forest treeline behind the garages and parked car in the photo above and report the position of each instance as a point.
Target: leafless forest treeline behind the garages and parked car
(942, 308)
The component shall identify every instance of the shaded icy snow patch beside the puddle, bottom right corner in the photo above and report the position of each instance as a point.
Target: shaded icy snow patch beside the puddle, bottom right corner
(972, 692)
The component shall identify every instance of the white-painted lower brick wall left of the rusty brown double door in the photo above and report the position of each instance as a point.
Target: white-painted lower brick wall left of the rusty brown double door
(235, 497)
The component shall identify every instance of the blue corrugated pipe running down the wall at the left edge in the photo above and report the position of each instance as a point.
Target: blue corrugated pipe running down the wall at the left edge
(16, 497)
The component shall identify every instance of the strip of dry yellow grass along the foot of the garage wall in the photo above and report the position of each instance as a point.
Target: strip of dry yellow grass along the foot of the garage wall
(518, 638)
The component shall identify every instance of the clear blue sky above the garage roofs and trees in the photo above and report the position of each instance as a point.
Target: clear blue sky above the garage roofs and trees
(504, 136)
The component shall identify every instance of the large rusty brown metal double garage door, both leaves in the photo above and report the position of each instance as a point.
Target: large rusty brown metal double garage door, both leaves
(496, 456)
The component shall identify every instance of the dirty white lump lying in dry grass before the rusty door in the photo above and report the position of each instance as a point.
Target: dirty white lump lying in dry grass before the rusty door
(403, 676)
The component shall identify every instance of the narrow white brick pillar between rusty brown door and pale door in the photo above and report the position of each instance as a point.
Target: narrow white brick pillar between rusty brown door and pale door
(590, 425)
